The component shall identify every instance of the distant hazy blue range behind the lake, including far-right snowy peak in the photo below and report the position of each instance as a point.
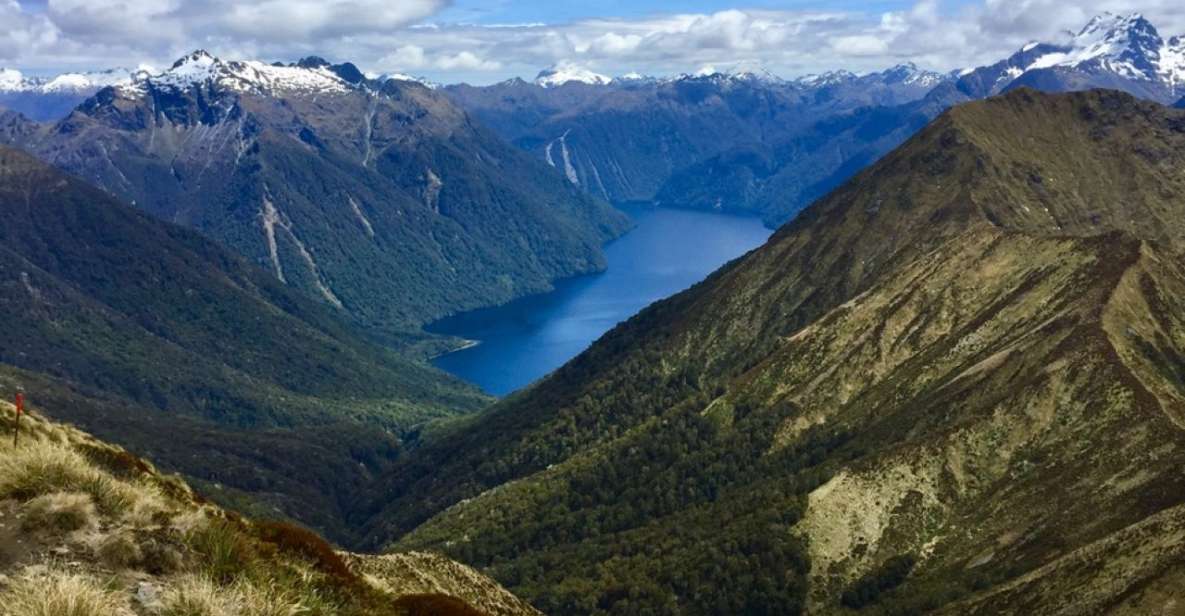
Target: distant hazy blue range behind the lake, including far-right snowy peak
(753, 143)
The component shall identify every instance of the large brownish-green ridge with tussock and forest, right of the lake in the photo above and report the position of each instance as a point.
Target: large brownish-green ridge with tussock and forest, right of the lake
(957, 384)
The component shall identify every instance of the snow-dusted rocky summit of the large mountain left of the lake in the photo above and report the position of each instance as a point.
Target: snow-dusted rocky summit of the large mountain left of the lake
(200, 68)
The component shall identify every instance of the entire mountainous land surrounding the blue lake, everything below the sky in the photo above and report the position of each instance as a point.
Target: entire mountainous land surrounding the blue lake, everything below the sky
(953, 382)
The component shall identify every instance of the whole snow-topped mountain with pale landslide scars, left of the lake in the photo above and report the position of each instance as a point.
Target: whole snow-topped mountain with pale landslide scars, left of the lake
(382, 200)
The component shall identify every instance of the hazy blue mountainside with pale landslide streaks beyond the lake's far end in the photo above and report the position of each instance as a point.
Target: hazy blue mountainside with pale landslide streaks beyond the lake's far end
(620, 142)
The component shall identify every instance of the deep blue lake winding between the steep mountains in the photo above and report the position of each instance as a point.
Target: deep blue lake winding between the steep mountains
(524, 341)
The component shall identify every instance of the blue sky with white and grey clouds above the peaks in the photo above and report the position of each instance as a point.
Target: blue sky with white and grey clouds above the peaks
(489, 41)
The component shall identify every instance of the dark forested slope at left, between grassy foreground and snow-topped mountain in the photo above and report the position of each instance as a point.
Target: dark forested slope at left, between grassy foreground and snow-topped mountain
(156, 338)
